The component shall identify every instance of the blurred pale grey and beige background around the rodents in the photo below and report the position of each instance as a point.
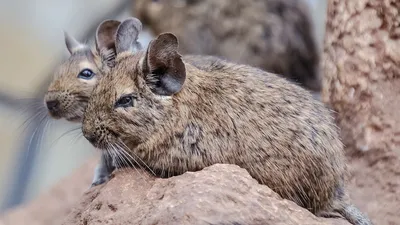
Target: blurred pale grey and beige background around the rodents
(36, 156)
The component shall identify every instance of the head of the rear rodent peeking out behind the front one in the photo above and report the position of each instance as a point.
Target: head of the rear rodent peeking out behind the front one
(74, 80)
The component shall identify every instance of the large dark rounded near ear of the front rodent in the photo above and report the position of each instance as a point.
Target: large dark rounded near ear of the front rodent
(164, 66)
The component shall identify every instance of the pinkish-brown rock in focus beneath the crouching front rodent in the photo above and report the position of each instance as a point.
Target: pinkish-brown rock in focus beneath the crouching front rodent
(220, 194)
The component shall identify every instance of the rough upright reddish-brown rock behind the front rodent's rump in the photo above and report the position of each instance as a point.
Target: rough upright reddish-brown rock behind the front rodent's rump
(361, 83)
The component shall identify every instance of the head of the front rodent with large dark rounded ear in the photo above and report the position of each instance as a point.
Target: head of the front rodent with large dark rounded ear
(128, 104)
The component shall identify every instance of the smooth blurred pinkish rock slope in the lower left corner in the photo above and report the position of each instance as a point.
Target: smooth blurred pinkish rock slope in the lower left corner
(54, 205)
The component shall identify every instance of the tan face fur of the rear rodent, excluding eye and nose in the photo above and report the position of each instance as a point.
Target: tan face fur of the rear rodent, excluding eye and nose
(72, 92)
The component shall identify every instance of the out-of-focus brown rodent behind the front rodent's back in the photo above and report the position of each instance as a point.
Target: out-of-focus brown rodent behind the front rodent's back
(274, 35)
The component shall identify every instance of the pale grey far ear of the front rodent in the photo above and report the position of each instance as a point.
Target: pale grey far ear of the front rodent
(127, 35)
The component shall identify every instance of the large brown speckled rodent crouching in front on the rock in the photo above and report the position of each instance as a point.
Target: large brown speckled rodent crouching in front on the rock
(172, 116)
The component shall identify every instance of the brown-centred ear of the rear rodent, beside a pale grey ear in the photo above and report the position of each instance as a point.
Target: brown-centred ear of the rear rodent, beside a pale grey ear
(106, 33)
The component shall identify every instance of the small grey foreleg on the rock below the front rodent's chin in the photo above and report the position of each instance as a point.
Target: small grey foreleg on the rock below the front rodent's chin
(103, 170)
